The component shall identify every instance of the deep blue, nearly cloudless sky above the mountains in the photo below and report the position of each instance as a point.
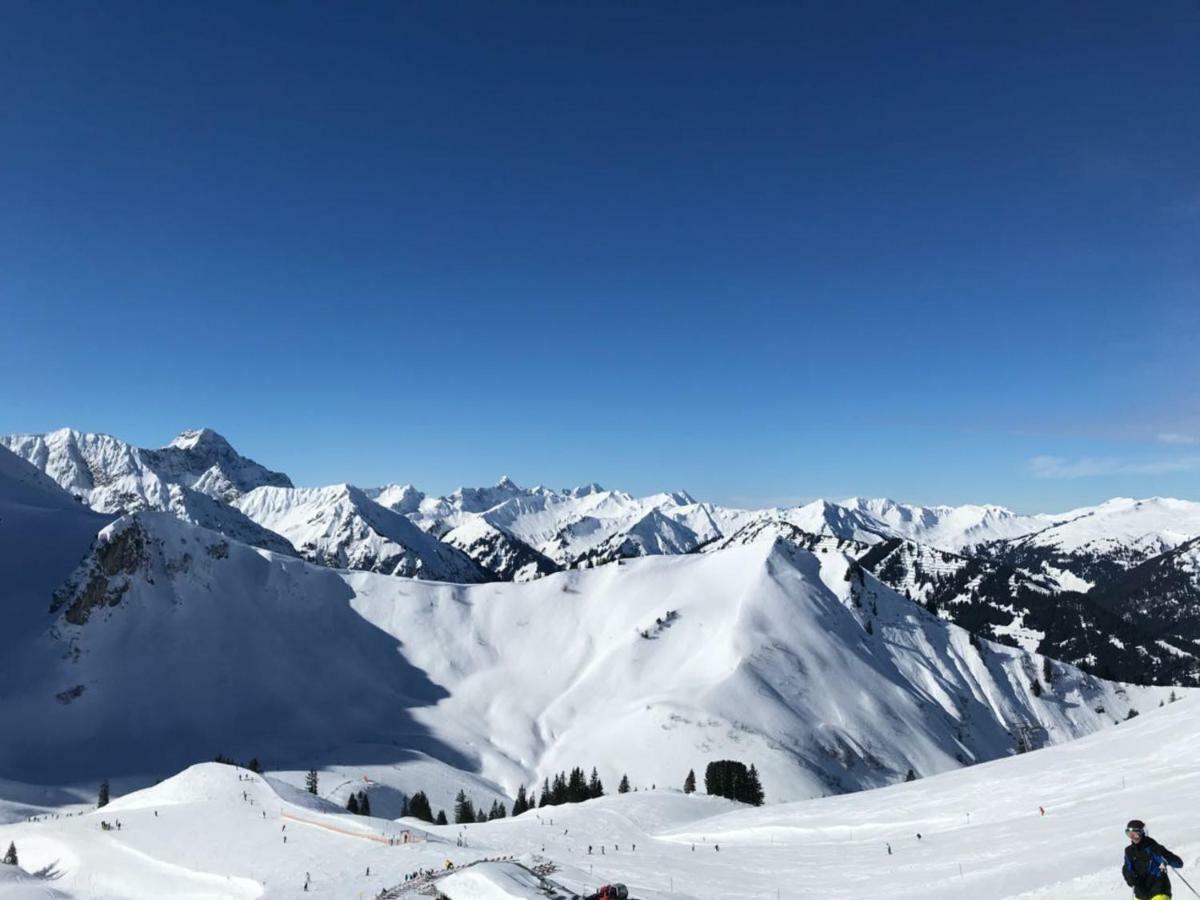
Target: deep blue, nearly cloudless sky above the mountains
(764, 253)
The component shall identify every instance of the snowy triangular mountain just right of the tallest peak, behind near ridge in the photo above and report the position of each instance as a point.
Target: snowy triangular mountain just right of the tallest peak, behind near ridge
(340, 526)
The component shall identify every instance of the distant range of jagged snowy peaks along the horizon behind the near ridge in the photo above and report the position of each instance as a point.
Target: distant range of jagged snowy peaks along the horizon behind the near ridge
(1109, 589)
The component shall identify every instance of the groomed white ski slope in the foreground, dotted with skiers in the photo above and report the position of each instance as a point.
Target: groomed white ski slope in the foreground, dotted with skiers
(982, 836)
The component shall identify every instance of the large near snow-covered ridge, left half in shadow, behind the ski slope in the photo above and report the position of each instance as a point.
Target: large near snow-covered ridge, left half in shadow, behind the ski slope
(172, 644)
